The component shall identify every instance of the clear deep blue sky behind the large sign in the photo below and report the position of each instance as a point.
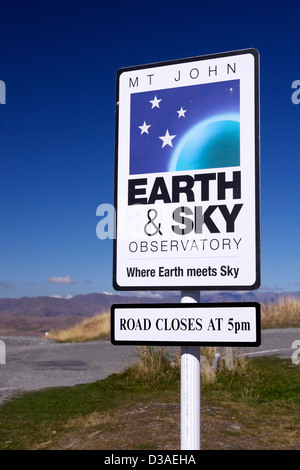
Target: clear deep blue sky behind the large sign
(59, 61)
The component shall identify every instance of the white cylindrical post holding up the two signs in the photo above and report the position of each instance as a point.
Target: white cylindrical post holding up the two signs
(190, 387)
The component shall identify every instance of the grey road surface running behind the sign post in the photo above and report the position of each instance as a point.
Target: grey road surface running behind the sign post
(34, 363)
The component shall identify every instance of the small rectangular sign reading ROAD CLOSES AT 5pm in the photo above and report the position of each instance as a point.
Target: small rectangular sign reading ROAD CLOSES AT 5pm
(206, 324)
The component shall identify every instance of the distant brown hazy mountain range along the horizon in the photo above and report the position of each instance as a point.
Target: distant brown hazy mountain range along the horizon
(35, 315)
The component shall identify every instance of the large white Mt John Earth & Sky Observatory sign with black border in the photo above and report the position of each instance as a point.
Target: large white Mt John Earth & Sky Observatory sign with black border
(187, 174)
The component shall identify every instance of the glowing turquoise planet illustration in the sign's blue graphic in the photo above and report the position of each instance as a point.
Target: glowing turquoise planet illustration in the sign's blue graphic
(213, 143)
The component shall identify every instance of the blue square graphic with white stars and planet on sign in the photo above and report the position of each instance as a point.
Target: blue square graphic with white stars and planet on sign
(185, 128)
